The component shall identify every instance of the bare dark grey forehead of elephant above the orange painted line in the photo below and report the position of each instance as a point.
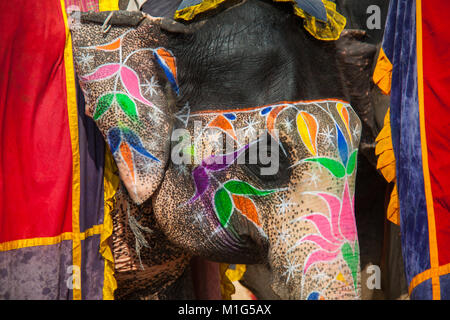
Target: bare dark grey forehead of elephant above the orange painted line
(253, 54)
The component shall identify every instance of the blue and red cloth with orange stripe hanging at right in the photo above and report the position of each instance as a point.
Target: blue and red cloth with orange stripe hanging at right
(415, 43)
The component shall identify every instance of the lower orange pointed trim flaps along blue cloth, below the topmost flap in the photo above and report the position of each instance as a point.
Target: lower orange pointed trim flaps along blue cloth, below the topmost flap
(386, 164)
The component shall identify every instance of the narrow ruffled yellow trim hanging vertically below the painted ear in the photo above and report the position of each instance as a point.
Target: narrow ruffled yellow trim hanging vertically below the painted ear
(111, 184)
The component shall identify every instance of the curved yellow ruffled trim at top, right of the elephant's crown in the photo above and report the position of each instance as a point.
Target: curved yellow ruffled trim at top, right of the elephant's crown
(326, 31)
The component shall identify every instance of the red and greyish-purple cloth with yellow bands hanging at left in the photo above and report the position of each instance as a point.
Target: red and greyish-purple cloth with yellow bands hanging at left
(53, 245)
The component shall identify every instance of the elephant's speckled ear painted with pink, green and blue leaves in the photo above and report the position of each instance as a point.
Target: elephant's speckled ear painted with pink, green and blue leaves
(128, 76)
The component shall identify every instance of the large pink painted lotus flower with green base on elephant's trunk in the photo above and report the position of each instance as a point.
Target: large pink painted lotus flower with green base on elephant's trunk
(336, 234)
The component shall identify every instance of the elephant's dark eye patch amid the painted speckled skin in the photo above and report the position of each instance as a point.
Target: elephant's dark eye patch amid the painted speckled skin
(268, 161)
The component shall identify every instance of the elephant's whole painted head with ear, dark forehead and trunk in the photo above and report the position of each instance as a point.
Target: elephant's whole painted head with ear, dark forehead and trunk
(235, 131)
